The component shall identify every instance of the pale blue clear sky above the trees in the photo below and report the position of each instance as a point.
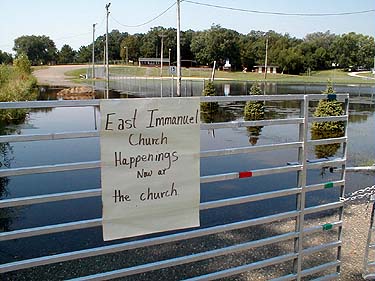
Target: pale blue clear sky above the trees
(70, 21)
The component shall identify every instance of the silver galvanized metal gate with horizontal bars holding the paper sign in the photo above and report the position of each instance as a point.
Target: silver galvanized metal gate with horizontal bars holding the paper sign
(301, 167)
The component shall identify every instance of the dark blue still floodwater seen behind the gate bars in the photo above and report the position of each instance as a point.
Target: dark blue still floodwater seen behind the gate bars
(361, 151)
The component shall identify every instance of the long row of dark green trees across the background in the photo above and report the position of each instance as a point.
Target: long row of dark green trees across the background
(316, 51)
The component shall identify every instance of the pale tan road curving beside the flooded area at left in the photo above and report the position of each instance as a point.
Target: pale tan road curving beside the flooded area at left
(54, 75)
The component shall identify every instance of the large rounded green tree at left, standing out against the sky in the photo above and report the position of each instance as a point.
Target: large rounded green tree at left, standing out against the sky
(39, 49)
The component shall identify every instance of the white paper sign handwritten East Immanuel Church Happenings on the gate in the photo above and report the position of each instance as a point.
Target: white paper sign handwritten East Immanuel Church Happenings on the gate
(150, 165)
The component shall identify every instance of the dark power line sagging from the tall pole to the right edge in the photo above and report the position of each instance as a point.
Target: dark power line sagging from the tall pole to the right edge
(280, 13)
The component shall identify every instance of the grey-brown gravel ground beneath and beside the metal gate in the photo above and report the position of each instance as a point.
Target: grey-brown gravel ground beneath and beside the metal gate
(356, 224)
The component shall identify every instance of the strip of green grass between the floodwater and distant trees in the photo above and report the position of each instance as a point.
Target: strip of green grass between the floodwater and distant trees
(336, 76)
